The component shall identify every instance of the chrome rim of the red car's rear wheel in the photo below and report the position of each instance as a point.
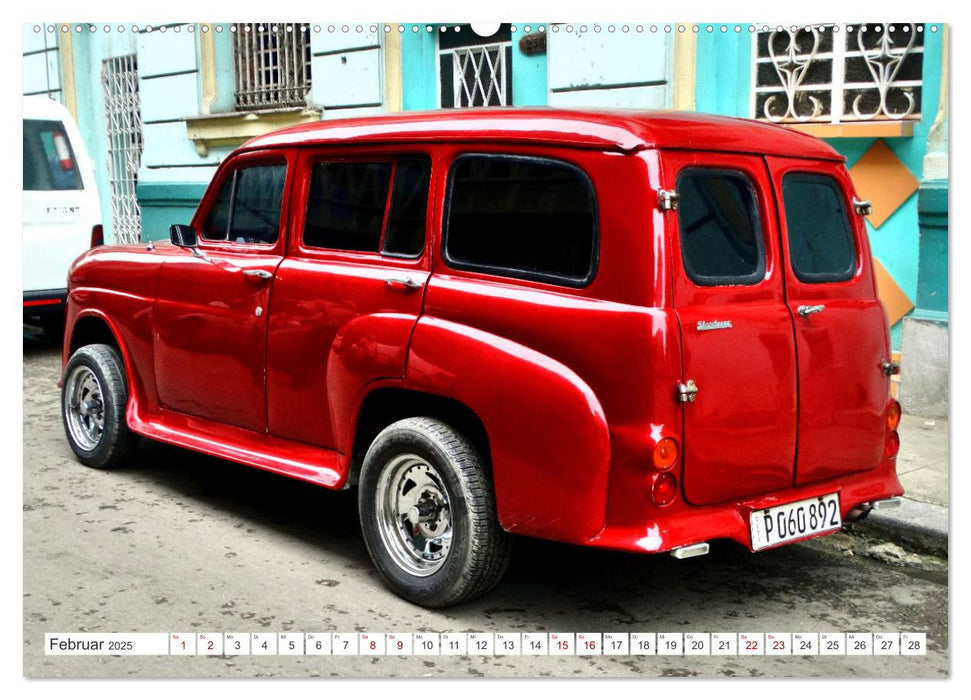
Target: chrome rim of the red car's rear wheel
(414, 517)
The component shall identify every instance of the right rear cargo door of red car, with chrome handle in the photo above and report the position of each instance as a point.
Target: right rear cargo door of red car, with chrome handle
(841, 331)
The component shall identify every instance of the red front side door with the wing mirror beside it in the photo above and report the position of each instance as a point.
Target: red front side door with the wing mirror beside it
(210, 314)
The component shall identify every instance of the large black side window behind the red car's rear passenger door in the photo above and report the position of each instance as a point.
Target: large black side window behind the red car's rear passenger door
(530, 218)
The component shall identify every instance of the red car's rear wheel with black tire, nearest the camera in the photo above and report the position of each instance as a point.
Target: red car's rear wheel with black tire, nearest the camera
(424, 459)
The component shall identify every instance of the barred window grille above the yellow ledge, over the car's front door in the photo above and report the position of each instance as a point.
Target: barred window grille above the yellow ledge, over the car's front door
(272, 65)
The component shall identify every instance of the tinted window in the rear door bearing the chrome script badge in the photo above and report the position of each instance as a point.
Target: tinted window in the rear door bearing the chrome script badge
(721, 236)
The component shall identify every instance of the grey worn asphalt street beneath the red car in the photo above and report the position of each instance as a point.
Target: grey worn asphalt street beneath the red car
(178, 542)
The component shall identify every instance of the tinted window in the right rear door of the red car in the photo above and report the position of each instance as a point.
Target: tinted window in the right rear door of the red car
(821, 246)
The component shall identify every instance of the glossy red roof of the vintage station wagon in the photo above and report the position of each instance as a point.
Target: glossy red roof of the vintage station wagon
(615, 130)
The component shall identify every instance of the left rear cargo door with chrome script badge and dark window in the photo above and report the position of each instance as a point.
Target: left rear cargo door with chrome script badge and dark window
(737, 344)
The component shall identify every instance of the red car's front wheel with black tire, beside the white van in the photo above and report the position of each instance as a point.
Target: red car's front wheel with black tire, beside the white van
(94, 397)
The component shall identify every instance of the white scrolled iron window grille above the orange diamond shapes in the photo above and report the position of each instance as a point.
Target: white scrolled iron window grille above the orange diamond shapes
(830, 74)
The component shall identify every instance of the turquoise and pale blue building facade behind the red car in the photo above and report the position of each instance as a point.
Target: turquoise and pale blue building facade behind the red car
(159, 107)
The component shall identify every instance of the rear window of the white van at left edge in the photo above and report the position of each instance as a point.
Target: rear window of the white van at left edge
(49, 162)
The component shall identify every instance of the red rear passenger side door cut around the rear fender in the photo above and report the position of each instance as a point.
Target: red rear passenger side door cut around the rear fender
(349, 292)
